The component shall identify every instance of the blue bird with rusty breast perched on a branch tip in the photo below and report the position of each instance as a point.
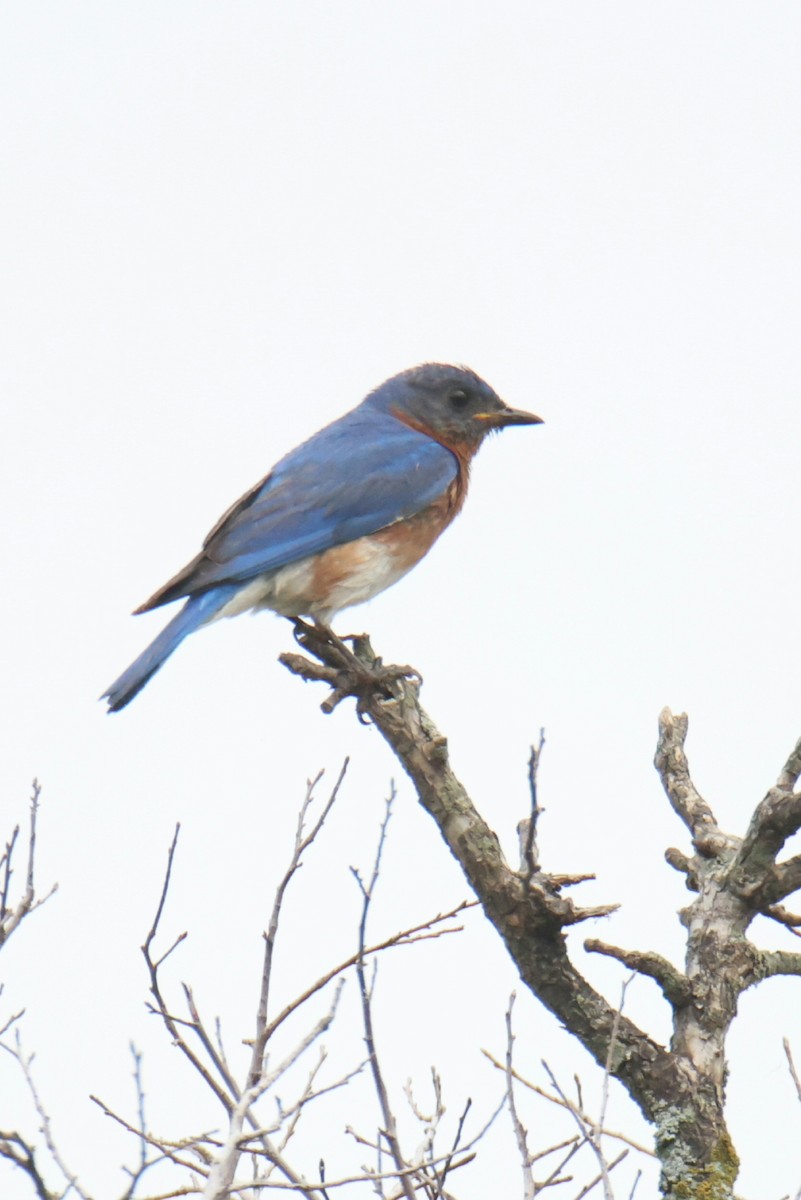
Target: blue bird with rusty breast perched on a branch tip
(341, 518)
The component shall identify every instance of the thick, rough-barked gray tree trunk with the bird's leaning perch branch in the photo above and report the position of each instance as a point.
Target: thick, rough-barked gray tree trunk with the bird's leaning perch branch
(679, 1089)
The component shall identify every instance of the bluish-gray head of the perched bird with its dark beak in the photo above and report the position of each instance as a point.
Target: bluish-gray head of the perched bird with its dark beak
(453, 405)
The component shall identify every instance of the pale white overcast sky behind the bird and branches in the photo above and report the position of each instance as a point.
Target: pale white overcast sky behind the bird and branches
(220, 226)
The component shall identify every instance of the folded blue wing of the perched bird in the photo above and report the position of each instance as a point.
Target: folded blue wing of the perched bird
(356, 477)
